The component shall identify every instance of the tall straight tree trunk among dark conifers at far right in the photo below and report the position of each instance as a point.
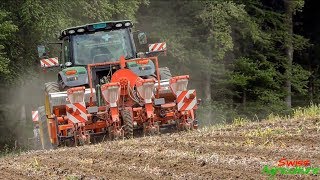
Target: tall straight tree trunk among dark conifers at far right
(289, 49)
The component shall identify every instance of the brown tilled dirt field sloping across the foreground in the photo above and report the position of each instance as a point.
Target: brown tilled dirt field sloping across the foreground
(235, 151)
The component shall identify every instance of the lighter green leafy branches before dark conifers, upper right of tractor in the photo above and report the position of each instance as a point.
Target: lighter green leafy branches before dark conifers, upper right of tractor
(222, 18)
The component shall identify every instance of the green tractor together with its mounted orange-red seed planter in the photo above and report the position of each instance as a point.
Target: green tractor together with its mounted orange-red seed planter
(106, 87)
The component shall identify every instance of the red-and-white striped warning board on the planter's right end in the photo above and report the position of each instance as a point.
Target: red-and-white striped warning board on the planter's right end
(186, 100)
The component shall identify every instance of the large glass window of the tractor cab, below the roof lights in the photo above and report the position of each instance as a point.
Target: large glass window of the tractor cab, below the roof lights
(102, 46)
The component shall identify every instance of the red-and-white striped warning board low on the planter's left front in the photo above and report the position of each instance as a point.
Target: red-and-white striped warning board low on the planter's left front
(77, 112)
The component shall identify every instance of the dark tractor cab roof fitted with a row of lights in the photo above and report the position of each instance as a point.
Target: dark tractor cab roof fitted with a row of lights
(100, 26)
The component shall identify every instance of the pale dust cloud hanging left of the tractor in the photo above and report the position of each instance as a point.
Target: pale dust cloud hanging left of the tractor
(17, 102)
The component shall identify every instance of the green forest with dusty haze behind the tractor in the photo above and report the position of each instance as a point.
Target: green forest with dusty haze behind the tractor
(246, 58)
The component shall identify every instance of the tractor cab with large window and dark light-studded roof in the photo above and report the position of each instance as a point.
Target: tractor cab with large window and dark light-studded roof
(97, 43)
